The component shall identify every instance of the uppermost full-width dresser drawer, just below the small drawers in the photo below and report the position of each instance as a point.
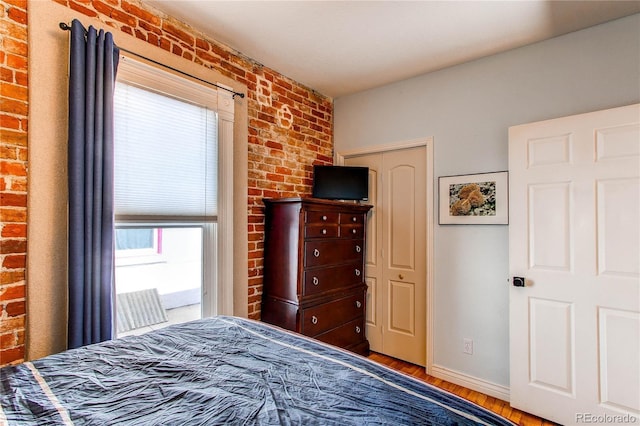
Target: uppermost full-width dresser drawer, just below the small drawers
(319, 253)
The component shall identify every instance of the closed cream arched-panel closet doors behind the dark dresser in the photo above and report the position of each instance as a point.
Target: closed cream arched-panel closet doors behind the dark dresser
(396, 253)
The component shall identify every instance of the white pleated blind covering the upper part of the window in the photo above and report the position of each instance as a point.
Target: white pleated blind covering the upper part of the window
(166, 164)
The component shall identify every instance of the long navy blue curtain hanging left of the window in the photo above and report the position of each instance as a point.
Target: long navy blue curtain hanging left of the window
(93, 65)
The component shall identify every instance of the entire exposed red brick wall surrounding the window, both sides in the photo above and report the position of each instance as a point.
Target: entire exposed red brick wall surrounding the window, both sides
(290, 129)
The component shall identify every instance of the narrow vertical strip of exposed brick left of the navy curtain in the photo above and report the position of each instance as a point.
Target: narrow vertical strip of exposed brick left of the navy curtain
(13, 178)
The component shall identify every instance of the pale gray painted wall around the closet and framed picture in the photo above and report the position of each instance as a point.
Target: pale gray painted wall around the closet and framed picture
(468, 110)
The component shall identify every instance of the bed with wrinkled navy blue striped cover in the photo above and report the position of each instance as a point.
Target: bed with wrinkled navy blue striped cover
(222, 371)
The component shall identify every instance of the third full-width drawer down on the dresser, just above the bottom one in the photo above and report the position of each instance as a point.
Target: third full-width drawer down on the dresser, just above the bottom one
(318, 319)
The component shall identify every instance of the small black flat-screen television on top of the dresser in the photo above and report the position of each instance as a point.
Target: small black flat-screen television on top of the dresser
(341, 182)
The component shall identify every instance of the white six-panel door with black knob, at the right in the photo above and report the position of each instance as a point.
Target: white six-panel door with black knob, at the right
(574, 236)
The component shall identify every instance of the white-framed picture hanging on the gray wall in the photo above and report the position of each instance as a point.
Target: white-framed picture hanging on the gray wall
(480, 199)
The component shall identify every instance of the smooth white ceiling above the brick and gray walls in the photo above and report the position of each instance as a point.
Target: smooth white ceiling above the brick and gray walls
(342, 47)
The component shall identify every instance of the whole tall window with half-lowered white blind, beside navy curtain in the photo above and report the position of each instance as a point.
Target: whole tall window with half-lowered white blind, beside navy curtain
(167, 195)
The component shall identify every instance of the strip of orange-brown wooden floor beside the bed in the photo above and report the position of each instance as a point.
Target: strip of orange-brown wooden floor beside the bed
(488, 402)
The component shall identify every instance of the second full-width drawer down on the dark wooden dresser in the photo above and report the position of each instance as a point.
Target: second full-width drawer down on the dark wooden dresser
(319, 280)
